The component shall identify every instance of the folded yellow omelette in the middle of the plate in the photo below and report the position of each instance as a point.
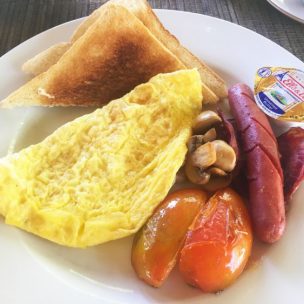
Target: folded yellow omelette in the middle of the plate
(100, 176)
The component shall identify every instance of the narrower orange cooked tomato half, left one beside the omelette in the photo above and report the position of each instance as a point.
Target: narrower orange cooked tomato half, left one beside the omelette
(156, 246)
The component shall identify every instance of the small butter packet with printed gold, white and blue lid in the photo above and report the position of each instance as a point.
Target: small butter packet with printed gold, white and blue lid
(279, 92)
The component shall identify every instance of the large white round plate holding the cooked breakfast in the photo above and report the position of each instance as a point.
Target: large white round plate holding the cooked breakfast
(36, 271)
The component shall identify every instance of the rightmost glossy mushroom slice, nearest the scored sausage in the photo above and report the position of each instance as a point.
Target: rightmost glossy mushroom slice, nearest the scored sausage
(225, 156)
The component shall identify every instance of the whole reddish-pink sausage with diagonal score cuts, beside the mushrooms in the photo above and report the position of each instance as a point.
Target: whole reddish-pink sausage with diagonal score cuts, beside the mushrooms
(264, 172)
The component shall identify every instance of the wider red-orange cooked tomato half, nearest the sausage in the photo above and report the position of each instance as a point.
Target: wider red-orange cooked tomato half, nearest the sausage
(218, 243)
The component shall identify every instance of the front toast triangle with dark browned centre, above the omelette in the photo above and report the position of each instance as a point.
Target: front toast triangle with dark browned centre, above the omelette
(114, 55)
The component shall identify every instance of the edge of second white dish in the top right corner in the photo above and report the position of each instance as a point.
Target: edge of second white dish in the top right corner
(291, 8)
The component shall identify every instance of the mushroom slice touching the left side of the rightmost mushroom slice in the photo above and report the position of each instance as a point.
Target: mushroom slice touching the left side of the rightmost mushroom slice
(204, 156)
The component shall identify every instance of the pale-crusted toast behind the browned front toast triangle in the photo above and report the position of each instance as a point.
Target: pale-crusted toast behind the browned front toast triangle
(214, 87)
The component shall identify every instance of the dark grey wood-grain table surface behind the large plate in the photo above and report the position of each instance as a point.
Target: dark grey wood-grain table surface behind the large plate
(22, 19)
